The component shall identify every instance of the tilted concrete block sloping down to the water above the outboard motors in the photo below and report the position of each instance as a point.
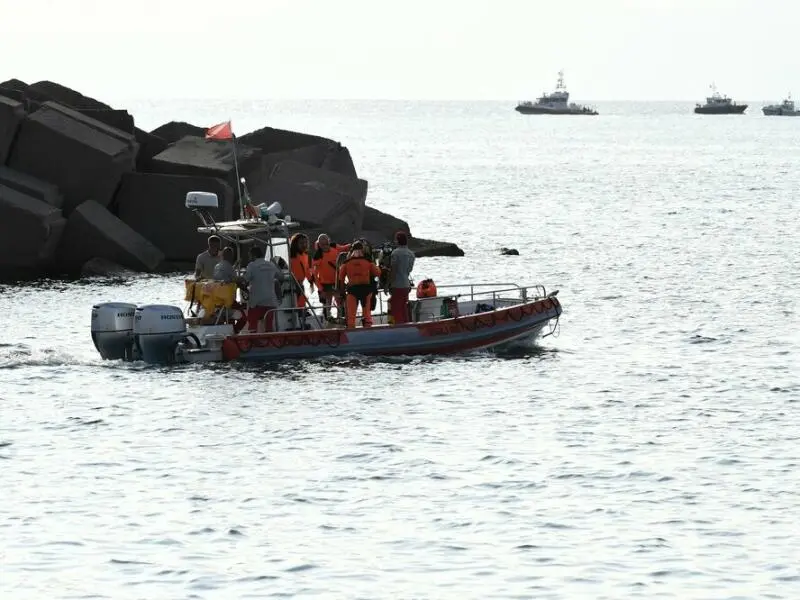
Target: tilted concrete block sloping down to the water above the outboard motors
(93, 232)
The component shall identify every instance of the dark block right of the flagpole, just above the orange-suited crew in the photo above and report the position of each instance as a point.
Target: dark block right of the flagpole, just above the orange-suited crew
(314, 197)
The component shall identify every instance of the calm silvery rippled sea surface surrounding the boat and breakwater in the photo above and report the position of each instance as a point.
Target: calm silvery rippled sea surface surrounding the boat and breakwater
(650, 450)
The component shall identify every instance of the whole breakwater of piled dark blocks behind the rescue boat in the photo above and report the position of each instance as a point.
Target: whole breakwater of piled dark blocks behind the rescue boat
(81, 183)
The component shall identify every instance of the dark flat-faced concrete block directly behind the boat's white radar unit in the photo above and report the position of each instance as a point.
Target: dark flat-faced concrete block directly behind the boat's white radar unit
(153, 205)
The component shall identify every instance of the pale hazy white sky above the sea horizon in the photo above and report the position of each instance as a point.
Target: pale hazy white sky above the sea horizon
(414, 49)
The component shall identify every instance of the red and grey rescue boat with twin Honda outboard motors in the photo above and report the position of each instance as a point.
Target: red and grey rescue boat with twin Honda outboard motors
(444, 319)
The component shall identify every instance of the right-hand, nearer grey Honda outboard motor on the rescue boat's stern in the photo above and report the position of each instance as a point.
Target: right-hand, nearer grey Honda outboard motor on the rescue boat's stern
(157, 329)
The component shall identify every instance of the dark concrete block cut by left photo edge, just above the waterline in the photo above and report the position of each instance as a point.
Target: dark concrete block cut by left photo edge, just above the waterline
(30, 229)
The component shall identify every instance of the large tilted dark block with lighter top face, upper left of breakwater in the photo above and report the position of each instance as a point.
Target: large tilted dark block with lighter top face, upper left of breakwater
(83, 157)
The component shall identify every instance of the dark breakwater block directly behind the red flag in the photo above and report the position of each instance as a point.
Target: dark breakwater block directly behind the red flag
(197, 156)
